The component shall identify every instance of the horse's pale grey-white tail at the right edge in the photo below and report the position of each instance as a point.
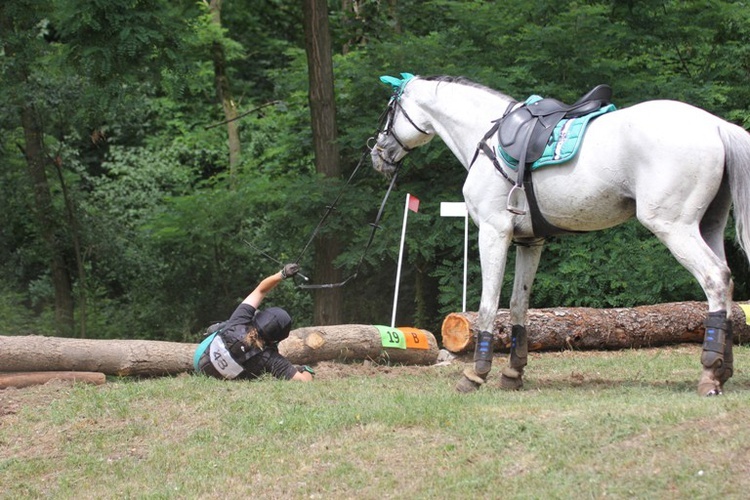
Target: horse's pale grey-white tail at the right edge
(737, 163)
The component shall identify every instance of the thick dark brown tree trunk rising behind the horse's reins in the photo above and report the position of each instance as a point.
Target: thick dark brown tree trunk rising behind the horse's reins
(327, 302)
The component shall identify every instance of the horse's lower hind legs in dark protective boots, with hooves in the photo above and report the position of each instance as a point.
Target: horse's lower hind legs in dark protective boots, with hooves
(716, 358)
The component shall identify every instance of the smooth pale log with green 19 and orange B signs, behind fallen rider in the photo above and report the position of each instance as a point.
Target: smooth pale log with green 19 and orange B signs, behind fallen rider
(154, 358)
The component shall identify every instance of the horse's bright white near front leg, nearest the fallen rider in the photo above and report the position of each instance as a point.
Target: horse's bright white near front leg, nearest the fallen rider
(494, 240)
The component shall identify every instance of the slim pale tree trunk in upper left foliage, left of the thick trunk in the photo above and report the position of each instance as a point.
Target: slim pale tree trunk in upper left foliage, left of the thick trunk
(224, 95)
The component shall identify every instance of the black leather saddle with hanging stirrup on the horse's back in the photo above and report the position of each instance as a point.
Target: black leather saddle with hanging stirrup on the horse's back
(525, 130)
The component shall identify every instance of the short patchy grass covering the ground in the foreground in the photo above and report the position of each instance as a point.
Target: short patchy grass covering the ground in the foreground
(587, 425)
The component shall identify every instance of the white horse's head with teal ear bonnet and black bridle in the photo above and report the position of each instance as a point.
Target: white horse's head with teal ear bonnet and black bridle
(402, 127)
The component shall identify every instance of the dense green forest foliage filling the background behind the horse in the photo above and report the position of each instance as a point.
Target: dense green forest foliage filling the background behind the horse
(153, 231)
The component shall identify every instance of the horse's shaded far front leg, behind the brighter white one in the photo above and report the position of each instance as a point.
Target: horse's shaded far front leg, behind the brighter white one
(527, 262)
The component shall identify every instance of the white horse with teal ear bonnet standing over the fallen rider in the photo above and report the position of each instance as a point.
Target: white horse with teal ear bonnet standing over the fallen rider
(677, 168)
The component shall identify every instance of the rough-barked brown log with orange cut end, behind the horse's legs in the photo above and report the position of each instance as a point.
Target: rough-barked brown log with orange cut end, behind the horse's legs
(588, 328)
